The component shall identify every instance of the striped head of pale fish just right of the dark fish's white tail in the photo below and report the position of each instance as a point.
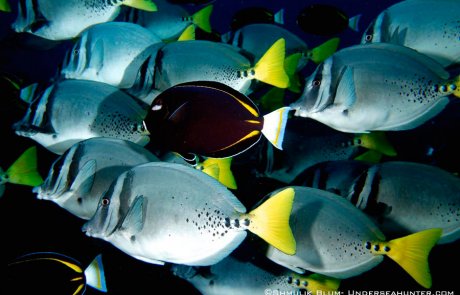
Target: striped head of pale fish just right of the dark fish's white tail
(317, 93)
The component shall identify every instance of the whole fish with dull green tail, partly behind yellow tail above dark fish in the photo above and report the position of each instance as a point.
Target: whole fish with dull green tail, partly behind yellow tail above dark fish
(256, 38)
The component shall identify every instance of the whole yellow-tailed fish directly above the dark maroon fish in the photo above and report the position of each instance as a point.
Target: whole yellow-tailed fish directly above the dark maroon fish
(203, 60)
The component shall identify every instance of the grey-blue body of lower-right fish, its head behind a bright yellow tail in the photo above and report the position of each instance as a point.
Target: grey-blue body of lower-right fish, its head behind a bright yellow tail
(331, 234)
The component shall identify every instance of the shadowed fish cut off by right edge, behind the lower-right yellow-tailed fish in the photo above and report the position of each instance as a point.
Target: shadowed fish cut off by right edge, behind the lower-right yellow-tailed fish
(401, 197)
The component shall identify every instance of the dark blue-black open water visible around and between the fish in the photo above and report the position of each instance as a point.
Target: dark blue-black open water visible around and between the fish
(30, 225)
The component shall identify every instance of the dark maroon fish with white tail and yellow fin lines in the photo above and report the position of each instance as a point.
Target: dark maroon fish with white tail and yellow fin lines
(190, 117)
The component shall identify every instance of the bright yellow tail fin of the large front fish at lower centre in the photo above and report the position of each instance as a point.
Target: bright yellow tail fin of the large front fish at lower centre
(270, 221)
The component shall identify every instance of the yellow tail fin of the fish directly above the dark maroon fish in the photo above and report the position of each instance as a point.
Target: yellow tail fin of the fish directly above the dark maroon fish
(270, 68)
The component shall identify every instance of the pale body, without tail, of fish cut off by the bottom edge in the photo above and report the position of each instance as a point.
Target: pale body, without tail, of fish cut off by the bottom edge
(232, 276)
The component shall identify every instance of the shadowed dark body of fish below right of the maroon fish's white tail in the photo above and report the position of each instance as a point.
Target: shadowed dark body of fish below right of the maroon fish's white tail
(305, 144)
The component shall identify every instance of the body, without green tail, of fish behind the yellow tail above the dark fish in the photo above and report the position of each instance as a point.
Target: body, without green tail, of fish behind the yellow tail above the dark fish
(257, 38)
